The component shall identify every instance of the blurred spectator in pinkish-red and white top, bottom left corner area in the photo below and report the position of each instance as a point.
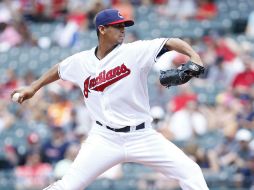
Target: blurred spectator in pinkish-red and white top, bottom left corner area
(35, 174)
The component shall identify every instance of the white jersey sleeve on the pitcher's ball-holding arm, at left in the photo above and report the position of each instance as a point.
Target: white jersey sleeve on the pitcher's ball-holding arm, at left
(68, 68)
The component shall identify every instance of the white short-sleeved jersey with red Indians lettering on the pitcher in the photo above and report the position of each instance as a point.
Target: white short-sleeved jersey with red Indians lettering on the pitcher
(115, 87)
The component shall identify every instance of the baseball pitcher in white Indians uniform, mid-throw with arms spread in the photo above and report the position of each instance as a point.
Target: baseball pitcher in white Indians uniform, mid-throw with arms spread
(113, 80)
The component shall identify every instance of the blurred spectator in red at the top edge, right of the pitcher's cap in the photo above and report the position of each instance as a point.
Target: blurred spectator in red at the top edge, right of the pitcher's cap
(207, 10)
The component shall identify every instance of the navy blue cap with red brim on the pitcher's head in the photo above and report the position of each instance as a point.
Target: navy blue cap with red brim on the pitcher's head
(111, 17)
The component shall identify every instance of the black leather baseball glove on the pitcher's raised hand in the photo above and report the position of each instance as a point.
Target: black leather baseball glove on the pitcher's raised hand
(181, 75)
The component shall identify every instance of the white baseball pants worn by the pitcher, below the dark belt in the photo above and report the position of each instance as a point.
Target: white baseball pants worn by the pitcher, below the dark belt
(105, 148)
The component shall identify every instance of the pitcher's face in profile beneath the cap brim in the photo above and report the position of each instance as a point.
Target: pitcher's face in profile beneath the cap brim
(116, 33)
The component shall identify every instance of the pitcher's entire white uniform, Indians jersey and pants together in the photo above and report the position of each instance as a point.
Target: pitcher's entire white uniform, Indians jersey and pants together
(115, 92)
